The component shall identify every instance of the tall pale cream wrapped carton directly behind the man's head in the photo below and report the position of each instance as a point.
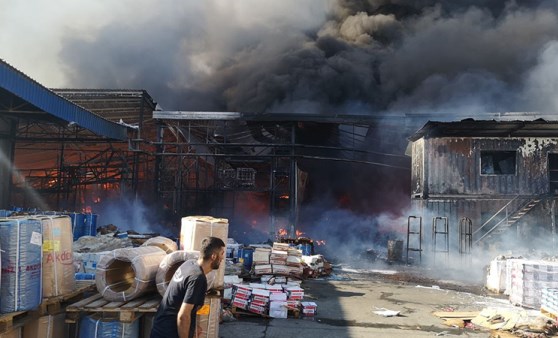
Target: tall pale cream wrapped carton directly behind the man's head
(195, 228)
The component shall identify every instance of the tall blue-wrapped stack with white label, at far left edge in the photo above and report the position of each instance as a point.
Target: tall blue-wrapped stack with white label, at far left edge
(21, 242)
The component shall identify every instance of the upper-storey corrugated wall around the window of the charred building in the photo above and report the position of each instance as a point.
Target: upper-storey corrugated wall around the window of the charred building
(451, 167)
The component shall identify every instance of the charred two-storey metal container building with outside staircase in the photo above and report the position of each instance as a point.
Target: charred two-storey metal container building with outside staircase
(500, 177)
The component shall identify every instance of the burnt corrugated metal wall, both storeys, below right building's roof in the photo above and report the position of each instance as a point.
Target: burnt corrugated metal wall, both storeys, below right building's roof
(447, 182)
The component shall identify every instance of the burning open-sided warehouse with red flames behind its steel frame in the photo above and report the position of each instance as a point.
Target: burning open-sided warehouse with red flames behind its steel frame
(84, 150)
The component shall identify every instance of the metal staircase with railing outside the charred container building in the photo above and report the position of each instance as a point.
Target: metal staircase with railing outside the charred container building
(508, 219)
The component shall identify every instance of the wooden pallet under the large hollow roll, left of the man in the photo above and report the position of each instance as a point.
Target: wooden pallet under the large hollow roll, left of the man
(125, 312)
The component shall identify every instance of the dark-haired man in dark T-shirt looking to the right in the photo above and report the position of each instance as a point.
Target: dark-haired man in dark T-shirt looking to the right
(185, 294)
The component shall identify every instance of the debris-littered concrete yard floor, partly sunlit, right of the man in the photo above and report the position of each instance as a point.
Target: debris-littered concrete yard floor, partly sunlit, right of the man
(346, 305)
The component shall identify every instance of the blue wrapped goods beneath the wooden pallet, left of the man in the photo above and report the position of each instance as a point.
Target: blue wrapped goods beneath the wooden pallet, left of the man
(95, 327)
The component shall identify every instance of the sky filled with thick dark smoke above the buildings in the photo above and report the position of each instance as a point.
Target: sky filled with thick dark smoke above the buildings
(312, 56)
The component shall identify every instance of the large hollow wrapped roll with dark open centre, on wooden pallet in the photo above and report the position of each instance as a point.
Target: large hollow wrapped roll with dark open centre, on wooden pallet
(127, 273)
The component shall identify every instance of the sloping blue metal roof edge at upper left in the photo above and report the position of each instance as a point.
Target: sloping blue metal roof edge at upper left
(38, 95)
